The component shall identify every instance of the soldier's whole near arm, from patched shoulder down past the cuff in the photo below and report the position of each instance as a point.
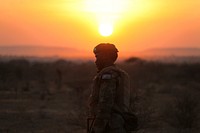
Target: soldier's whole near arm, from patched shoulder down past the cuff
(106, 102)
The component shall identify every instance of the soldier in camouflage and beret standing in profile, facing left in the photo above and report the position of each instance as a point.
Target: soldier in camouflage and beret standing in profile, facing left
(110, 95)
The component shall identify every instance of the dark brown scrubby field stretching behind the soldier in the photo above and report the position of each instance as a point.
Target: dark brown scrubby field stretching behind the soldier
(51, 97)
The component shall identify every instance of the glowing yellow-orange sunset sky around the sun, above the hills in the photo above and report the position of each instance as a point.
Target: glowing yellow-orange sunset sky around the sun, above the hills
(140, 24)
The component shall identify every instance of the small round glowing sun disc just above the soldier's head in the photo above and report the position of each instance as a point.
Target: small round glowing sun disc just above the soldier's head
(105, 29)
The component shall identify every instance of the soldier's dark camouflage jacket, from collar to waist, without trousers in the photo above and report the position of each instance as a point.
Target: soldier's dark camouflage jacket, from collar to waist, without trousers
(110, 92)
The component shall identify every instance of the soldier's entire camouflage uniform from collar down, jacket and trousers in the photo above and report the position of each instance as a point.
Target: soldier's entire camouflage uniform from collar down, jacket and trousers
(110, 94)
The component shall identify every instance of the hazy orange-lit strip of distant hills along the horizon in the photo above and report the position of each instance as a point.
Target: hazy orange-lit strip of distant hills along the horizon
(74, 54)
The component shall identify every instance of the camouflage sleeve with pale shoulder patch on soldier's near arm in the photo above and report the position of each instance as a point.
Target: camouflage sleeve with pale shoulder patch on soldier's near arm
(106, 96)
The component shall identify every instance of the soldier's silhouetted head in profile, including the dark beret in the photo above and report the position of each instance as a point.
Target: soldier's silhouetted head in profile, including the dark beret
(106, 55)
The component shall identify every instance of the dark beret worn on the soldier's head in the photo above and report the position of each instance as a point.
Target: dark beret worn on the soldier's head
(105, 47)
